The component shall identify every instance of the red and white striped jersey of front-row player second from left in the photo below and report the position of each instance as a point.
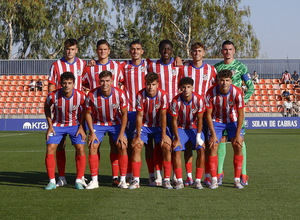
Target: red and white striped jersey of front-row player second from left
(106, 111)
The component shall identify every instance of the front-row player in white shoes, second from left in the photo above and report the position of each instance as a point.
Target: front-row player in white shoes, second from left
(106, 111)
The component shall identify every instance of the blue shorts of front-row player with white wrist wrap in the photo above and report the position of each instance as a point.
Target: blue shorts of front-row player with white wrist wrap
(188, 134)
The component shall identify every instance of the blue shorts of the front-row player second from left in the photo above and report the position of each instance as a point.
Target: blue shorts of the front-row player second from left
(113, 131)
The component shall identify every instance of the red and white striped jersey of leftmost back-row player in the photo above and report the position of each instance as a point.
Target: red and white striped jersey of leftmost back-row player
(61, 66)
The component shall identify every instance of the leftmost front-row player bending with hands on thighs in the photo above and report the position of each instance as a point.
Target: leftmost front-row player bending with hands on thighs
(67, 104)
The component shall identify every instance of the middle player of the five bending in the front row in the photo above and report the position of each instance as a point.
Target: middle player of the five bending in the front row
(151, 121)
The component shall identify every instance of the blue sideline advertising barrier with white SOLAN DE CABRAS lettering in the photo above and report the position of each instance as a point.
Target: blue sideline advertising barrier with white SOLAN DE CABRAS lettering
(250, 123)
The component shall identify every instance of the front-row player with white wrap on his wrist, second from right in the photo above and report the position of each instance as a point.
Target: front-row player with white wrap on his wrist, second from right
(187, 111)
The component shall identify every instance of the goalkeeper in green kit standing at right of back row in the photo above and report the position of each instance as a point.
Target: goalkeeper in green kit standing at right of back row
(240, 73)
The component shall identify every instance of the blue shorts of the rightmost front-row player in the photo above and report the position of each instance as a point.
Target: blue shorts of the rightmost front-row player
(230, 127)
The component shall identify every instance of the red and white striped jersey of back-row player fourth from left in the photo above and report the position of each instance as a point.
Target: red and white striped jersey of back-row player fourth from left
(168, 76)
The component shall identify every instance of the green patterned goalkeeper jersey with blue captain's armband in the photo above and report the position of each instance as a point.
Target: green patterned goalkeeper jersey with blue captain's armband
(240, 73)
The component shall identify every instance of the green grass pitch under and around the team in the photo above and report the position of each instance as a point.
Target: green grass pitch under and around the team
(273, 191)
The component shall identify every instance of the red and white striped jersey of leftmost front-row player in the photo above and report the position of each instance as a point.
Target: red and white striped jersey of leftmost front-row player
(66, 111)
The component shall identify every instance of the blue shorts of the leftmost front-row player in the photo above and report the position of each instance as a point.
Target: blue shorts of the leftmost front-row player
(60, 132)
